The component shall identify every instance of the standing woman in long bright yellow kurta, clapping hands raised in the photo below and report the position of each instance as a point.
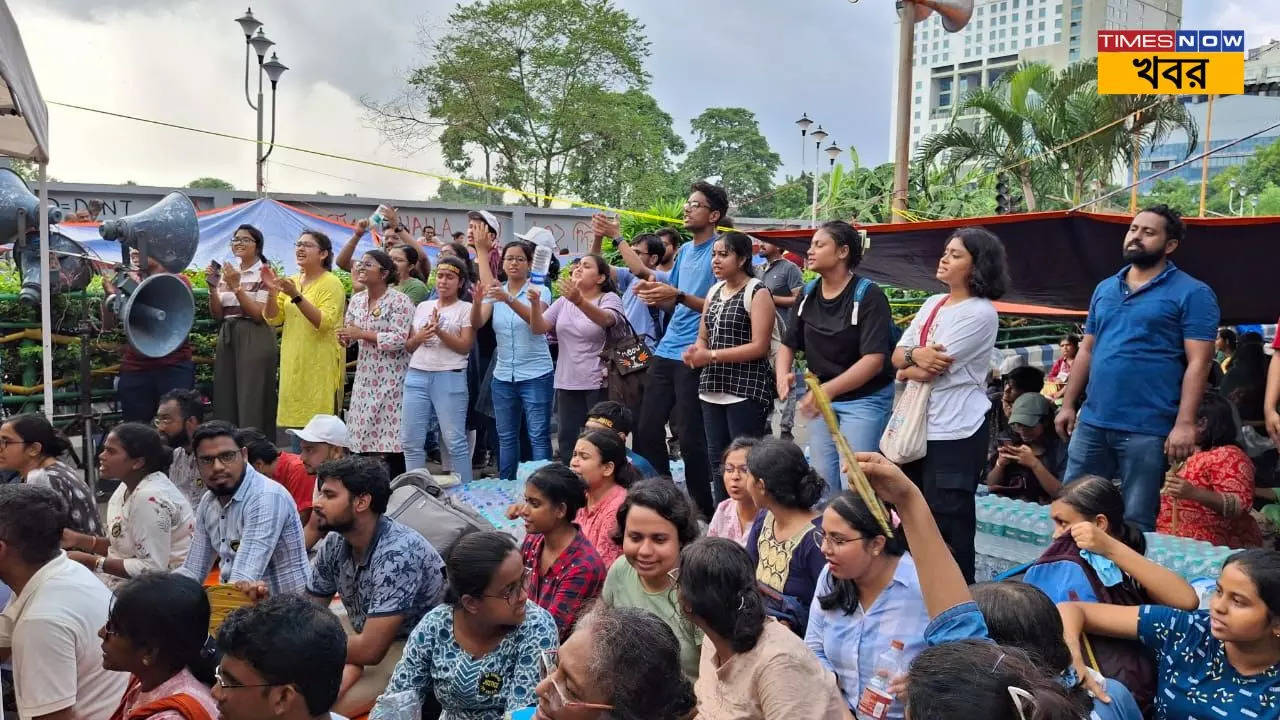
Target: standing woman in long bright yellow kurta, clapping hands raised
(310, 307)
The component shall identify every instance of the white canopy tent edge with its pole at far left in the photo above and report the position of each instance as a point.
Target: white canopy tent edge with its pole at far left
(25, 135)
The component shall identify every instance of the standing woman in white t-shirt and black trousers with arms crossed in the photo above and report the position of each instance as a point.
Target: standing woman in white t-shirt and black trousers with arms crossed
(956, 358)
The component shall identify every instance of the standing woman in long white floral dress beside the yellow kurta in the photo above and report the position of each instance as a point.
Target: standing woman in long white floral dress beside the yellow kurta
(380, 320)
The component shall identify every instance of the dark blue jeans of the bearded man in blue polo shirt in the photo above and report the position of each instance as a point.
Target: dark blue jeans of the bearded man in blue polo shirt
(1139, 458)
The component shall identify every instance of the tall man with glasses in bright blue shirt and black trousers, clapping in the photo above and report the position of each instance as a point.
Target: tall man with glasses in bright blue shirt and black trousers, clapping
(671, 385)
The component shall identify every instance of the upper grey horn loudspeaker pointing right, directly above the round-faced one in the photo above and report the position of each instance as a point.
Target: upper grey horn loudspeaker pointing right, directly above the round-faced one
(167, 233)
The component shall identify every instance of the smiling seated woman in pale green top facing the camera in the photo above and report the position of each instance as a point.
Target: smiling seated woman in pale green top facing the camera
(655, 523)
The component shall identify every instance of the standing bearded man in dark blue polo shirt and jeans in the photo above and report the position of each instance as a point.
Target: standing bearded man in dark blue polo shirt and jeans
(1145, 363)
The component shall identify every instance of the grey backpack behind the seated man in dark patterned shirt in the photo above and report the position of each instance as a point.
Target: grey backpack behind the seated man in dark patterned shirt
(420, 503)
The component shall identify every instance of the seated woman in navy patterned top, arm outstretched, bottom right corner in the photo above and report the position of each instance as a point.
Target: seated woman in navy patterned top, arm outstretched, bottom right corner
(1217, 663)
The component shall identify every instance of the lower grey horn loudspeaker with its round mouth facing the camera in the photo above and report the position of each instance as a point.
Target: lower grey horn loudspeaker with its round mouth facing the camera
(158, 316)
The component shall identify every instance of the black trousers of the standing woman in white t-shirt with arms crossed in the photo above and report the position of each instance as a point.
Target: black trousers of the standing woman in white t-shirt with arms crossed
(949, 476)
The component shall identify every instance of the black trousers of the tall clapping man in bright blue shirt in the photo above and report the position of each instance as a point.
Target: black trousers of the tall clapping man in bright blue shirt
(673, 385)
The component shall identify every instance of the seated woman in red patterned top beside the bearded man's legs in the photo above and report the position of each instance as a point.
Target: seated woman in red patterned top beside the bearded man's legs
(1212, 496)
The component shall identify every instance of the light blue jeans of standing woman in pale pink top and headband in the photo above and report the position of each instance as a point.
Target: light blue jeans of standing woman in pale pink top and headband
(431, 398)
